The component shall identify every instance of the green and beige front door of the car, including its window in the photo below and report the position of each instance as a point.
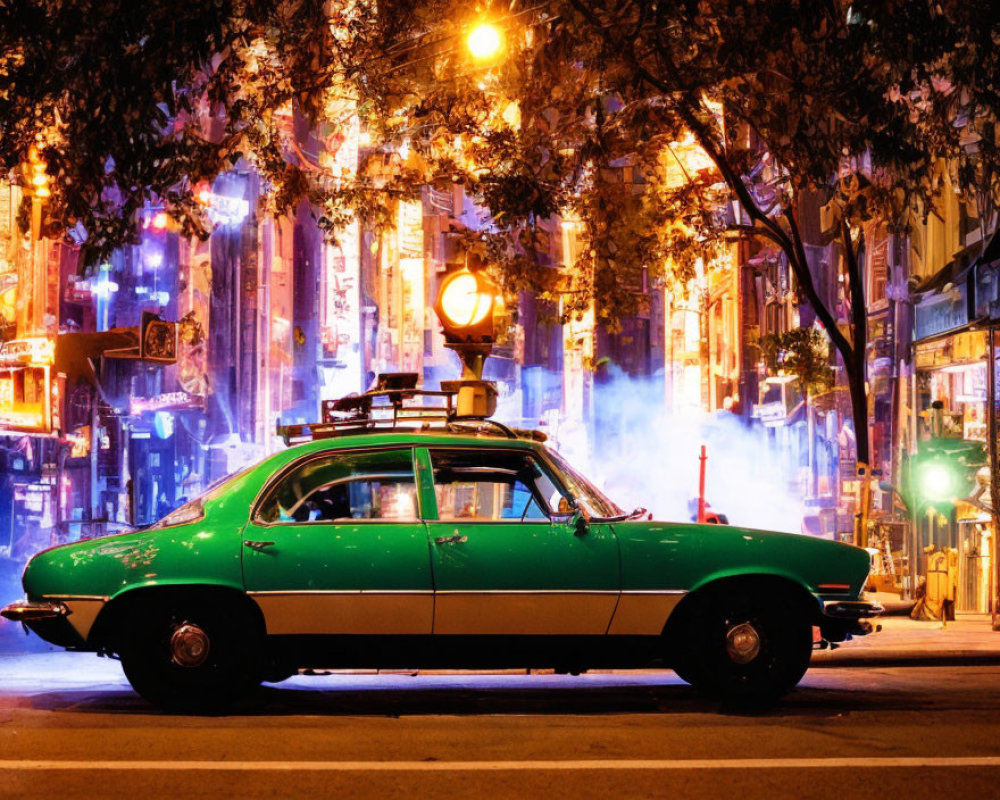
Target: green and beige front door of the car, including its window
(502, 565)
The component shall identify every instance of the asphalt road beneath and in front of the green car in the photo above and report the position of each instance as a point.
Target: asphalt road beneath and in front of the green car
(70, 727)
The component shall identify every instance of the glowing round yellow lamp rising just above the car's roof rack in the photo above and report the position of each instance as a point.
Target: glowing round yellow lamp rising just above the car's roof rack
(466, 305)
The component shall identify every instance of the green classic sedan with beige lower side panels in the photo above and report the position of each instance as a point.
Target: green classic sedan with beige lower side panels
(467, 546)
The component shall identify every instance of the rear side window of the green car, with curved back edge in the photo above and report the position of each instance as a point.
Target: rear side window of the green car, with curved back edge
(344, 486)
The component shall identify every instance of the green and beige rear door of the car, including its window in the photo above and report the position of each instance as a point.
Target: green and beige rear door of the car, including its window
(336, 546)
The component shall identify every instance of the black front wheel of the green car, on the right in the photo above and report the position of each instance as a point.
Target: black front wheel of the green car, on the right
(743, 646)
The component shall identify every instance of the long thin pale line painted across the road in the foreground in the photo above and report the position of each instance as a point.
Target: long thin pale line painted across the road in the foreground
(504, 766)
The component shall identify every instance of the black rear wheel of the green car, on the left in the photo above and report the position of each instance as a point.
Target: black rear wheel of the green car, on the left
(192, 655)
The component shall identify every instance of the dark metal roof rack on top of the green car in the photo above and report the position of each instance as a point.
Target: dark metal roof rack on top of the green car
(389, 407)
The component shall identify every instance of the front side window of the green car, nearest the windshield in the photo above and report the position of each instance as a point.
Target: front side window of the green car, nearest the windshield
(491, 485)
